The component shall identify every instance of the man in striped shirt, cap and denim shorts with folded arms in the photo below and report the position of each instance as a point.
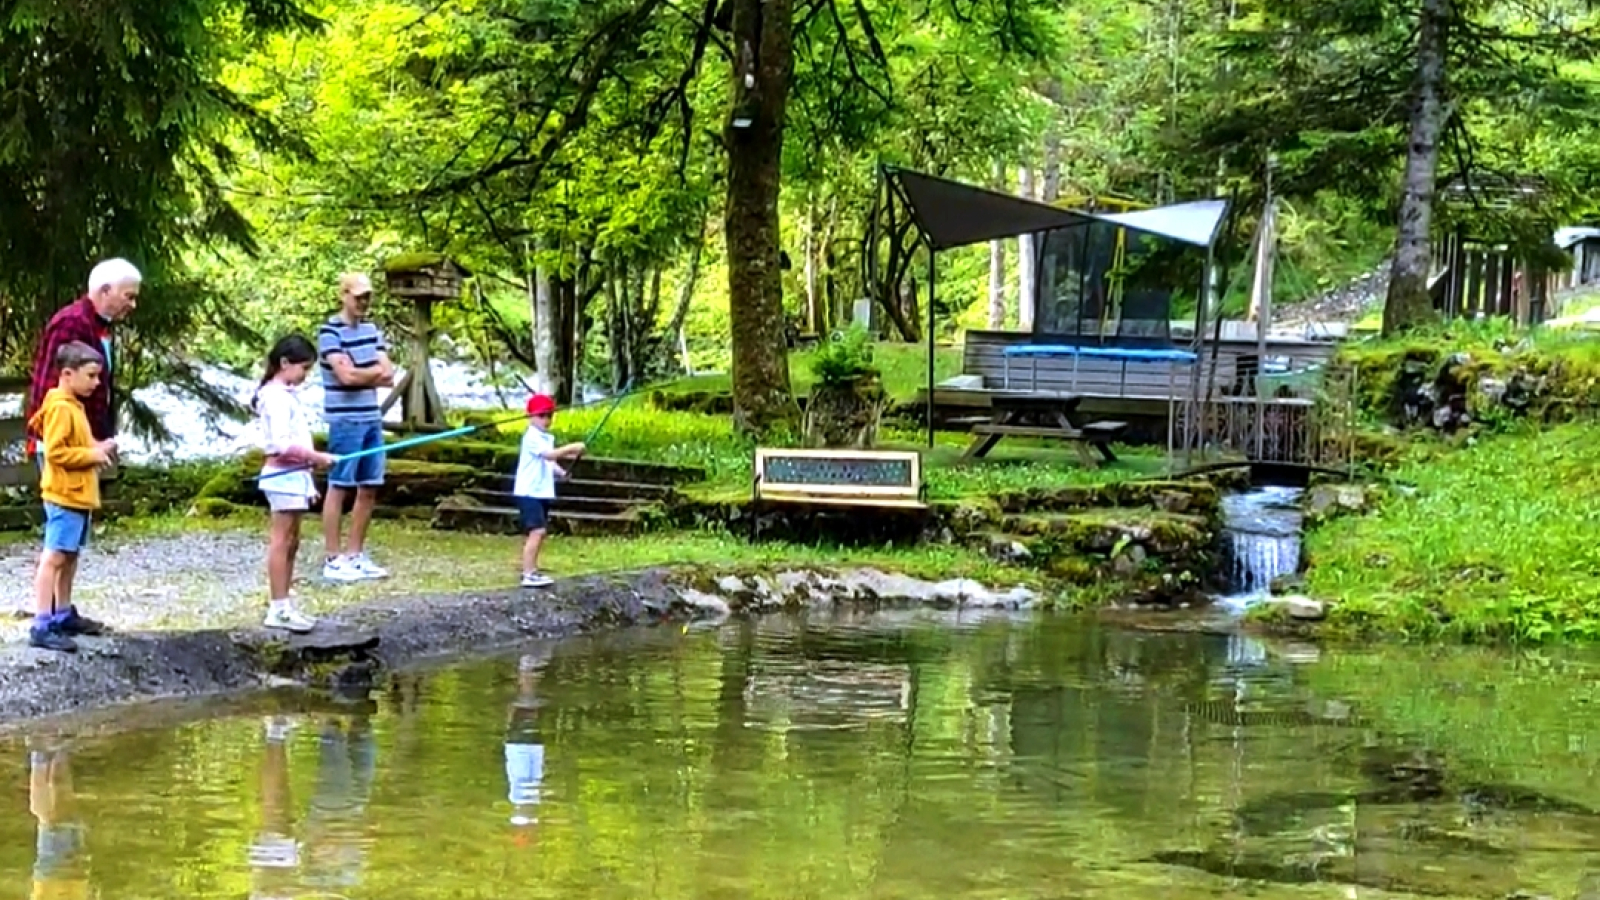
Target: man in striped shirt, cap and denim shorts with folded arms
(354, 366)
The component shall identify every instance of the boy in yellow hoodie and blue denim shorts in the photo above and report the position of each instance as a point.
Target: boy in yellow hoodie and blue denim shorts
(70, 486)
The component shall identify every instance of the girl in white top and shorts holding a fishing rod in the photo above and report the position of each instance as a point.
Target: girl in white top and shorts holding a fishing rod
(286, 475)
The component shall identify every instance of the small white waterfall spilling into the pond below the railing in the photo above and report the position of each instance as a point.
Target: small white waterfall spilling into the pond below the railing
(1263, 539)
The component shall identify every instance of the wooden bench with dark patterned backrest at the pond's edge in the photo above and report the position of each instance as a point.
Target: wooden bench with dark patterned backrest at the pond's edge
(886, 480)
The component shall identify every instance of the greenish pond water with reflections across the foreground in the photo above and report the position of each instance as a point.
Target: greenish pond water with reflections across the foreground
(849, 757)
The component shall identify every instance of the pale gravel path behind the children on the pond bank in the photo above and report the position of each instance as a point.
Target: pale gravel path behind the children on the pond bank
(209, 579)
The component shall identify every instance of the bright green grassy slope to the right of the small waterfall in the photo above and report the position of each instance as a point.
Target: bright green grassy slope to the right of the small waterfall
(1497, 544)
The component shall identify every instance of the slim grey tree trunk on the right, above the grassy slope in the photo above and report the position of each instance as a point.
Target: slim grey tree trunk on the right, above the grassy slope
(1409, 303)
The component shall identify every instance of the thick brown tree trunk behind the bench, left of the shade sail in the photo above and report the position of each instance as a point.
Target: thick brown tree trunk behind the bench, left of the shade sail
(762, 68)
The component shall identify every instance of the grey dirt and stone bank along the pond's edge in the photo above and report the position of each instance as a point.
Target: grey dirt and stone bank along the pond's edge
(361, 641)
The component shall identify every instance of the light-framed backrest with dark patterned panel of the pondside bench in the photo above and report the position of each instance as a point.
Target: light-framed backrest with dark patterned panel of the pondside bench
(839, 473)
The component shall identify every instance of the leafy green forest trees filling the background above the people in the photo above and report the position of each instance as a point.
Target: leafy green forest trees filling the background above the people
(644, 167)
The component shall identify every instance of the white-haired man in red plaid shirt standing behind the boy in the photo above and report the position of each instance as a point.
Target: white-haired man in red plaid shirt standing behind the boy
(113, 294)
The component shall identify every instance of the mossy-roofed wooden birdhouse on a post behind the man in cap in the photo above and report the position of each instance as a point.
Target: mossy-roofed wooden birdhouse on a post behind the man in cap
(425, 279)
